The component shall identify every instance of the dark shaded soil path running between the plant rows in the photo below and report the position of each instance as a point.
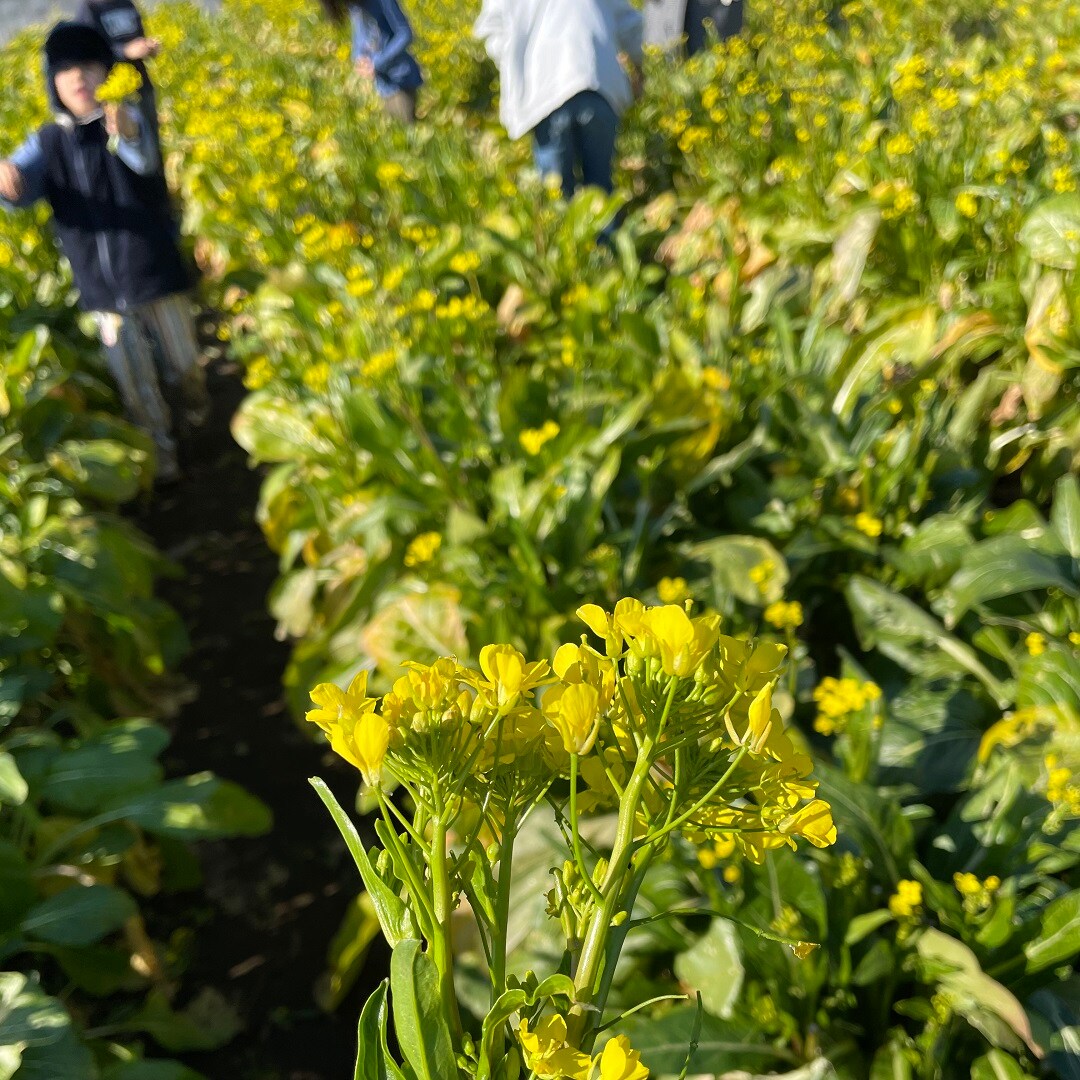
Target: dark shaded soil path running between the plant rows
(269, 907)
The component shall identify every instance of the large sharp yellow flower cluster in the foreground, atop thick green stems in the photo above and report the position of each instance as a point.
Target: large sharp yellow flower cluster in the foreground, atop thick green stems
(723, 768)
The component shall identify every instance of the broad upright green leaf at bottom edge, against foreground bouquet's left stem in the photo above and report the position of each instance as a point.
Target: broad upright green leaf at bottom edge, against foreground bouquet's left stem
(420, 1021)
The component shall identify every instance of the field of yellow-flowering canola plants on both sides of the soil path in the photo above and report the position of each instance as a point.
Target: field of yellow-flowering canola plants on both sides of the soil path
(825, 386)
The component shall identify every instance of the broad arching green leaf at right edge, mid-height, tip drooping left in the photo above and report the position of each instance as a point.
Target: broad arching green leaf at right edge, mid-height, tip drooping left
(1005, 566)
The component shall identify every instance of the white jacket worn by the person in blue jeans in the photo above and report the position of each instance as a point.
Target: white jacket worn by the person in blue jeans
(549, 51)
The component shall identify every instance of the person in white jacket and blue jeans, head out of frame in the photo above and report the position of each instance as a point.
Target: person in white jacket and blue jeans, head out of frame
(564, 80)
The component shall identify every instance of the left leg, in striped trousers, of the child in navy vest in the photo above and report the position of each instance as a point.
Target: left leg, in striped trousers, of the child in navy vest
(130, 355)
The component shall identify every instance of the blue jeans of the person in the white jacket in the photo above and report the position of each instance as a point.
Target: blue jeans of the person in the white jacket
(577, 143)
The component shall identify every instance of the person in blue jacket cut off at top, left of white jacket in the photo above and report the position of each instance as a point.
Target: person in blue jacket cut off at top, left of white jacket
(382, 39)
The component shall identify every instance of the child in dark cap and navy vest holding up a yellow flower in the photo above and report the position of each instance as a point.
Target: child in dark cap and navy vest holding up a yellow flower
(112, 219)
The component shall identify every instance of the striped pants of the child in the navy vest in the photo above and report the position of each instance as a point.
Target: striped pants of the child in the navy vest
(154, 358)
